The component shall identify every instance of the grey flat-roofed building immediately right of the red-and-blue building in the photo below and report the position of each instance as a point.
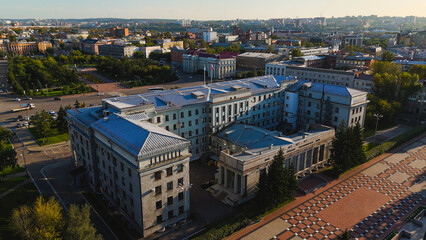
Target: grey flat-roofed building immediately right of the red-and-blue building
(250, 60)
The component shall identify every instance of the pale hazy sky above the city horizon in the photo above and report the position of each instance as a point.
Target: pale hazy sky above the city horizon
(206, 9)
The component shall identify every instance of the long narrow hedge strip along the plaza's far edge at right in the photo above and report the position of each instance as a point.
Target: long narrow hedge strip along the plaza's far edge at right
(388, 145)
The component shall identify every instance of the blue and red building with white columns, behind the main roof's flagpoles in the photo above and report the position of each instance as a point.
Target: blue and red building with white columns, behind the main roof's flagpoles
(218, 66)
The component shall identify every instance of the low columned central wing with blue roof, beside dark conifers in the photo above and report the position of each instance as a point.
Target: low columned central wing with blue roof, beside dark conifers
(245, 152)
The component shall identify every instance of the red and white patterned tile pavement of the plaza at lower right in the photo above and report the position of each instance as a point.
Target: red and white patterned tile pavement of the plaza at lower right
(367, 202)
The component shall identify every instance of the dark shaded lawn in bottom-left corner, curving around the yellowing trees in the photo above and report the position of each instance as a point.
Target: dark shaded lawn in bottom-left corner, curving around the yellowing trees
(23, 195)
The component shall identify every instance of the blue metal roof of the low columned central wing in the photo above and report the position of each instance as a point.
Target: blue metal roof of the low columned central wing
(257, 141)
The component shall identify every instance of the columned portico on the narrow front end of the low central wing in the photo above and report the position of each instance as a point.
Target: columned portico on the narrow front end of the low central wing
(232, 180)
